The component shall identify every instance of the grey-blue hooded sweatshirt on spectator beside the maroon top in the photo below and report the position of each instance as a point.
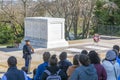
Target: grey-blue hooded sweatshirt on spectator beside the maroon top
(85, 73)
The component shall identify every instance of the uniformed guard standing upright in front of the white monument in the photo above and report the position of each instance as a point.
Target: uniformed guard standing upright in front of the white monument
(27, 51)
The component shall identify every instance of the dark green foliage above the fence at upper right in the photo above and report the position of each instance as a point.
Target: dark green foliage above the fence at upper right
(107, 15)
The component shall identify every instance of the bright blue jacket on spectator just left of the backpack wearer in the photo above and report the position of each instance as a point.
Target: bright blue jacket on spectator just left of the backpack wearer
(40, 70)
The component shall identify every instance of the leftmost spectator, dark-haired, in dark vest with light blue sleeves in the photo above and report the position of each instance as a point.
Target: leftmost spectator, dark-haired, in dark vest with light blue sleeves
(13, 73)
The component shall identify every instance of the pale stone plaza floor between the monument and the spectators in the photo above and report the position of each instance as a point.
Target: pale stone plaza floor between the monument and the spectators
(75, 47)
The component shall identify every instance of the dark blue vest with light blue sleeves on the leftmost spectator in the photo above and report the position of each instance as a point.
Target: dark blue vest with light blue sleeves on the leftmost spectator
(14, 74)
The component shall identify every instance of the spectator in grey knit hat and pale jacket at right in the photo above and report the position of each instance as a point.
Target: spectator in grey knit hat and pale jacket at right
(111, 66)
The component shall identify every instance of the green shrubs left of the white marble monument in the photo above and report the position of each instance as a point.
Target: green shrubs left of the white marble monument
(8, 35)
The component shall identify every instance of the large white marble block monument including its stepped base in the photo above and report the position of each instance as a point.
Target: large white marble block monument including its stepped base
(45, 32)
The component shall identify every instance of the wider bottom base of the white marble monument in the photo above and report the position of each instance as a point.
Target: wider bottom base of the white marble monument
(44, 44)
